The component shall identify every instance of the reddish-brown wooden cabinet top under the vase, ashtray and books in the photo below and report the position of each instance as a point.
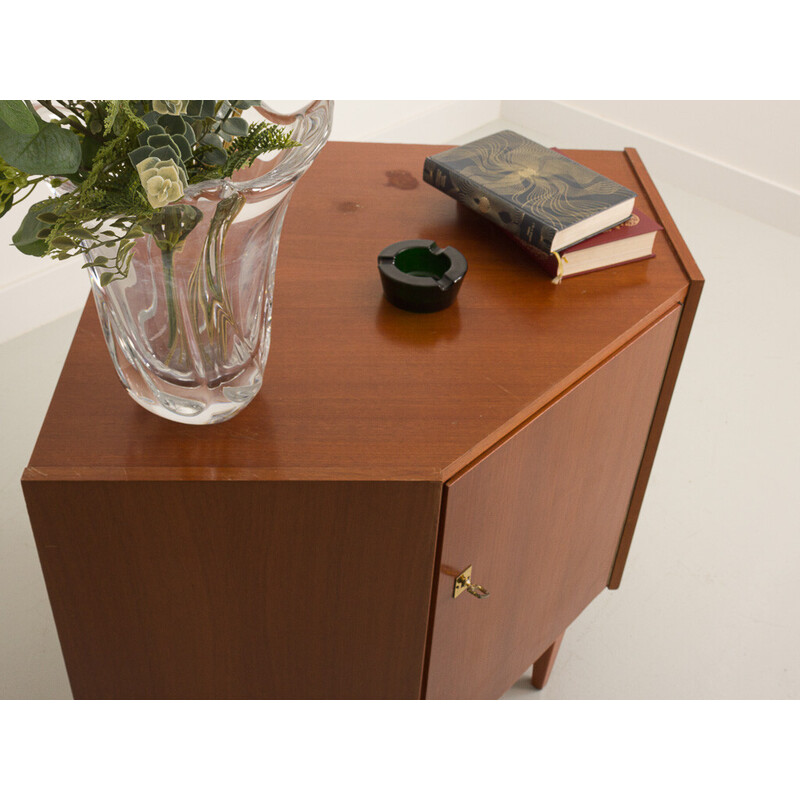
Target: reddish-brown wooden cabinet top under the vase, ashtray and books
(354, 388)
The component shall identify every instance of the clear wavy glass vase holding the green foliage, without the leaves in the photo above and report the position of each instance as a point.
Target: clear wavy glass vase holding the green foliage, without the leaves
(188, 330)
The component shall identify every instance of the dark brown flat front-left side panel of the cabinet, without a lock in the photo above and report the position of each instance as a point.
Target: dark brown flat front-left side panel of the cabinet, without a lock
(239, 589)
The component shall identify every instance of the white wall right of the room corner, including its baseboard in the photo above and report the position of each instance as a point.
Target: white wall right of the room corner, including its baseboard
(744, 155)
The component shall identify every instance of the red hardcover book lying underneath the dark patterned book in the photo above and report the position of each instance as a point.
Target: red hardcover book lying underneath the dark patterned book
(629, 241)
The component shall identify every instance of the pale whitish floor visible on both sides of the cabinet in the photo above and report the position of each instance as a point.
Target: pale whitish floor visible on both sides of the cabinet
(708, 607)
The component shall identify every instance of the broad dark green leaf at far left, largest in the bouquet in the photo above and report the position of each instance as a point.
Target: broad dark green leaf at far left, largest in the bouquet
(50, 151)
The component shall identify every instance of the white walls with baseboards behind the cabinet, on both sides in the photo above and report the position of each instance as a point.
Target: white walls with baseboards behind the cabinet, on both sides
(742, 154)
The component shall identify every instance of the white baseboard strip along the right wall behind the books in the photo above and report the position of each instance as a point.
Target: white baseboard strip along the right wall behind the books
(557, 124)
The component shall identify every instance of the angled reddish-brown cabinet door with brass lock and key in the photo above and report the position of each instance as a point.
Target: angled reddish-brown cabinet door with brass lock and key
(539, 520)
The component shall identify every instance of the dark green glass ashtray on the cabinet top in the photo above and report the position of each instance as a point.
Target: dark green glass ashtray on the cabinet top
(417, 275)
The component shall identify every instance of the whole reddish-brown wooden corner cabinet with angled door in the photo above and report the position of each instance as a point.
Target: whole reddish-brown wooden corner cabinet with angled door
(311, 547)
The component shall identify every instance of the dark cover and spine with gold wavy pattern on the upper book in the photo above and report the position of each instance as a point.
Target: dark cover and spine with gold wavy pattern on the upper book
(523, 186)
